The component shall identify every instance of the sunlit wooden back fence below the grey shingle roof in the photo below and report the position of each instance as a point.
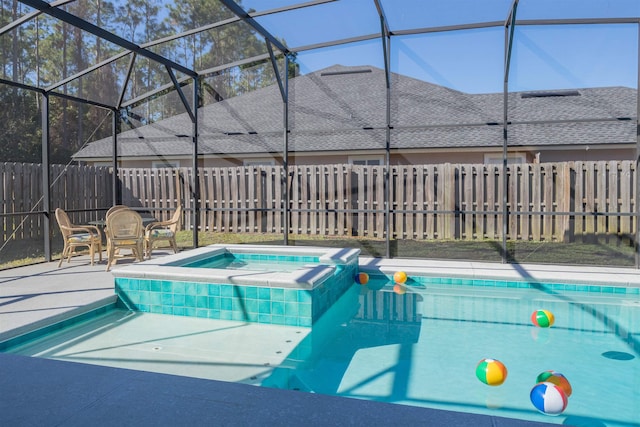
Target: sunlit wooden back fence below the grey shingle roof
(547, 201)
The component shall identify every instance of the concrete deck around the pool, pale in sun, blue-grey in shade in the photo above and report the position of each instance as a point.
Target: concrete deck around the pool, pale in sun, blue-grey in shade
(48, 392)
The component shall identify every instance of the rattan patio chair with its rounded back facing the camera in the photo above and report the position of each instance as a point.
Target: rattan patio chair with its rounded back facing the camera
(124, 231)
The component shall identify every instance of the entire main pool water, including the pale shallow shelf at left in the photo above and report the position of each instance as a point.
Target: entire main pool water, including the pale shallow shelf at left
(415, 345)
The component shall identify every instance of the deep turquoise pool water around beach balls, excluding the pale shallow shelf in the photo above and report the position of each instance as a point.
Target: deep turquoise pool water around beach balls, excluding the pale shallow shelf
(420, 346)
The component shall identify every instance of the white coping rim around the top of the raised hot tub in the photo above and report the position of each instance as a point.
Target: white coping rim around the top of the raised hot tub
(307, 277)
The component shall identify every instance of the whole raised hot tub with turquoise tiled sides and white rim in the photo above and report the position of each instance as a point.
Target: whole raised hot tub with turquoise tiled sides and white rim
(267, 284)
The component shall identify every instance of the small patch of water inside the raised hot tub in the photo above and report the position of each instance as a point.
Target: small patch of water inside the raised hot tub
(254, 262)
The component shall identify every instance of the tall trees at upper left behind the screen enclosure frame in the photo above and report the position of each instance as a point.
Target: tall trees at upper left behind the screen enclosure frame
(44, 51)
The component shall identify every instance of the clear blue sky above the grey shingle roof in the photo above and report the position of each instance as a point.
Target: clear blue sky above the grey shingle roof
(472, 61)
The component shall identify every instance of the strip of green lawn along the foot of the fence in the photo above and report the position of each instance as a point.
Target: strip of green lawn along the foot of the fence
(598, 252)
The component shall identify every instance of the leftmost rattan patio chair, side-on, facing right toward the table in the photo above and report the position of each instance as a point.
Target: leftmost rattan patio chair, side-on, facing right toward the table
(76, 236)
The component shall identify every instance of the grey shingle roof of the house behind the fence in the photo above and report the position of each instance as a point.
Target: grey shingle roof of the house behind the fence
(343, 108)
